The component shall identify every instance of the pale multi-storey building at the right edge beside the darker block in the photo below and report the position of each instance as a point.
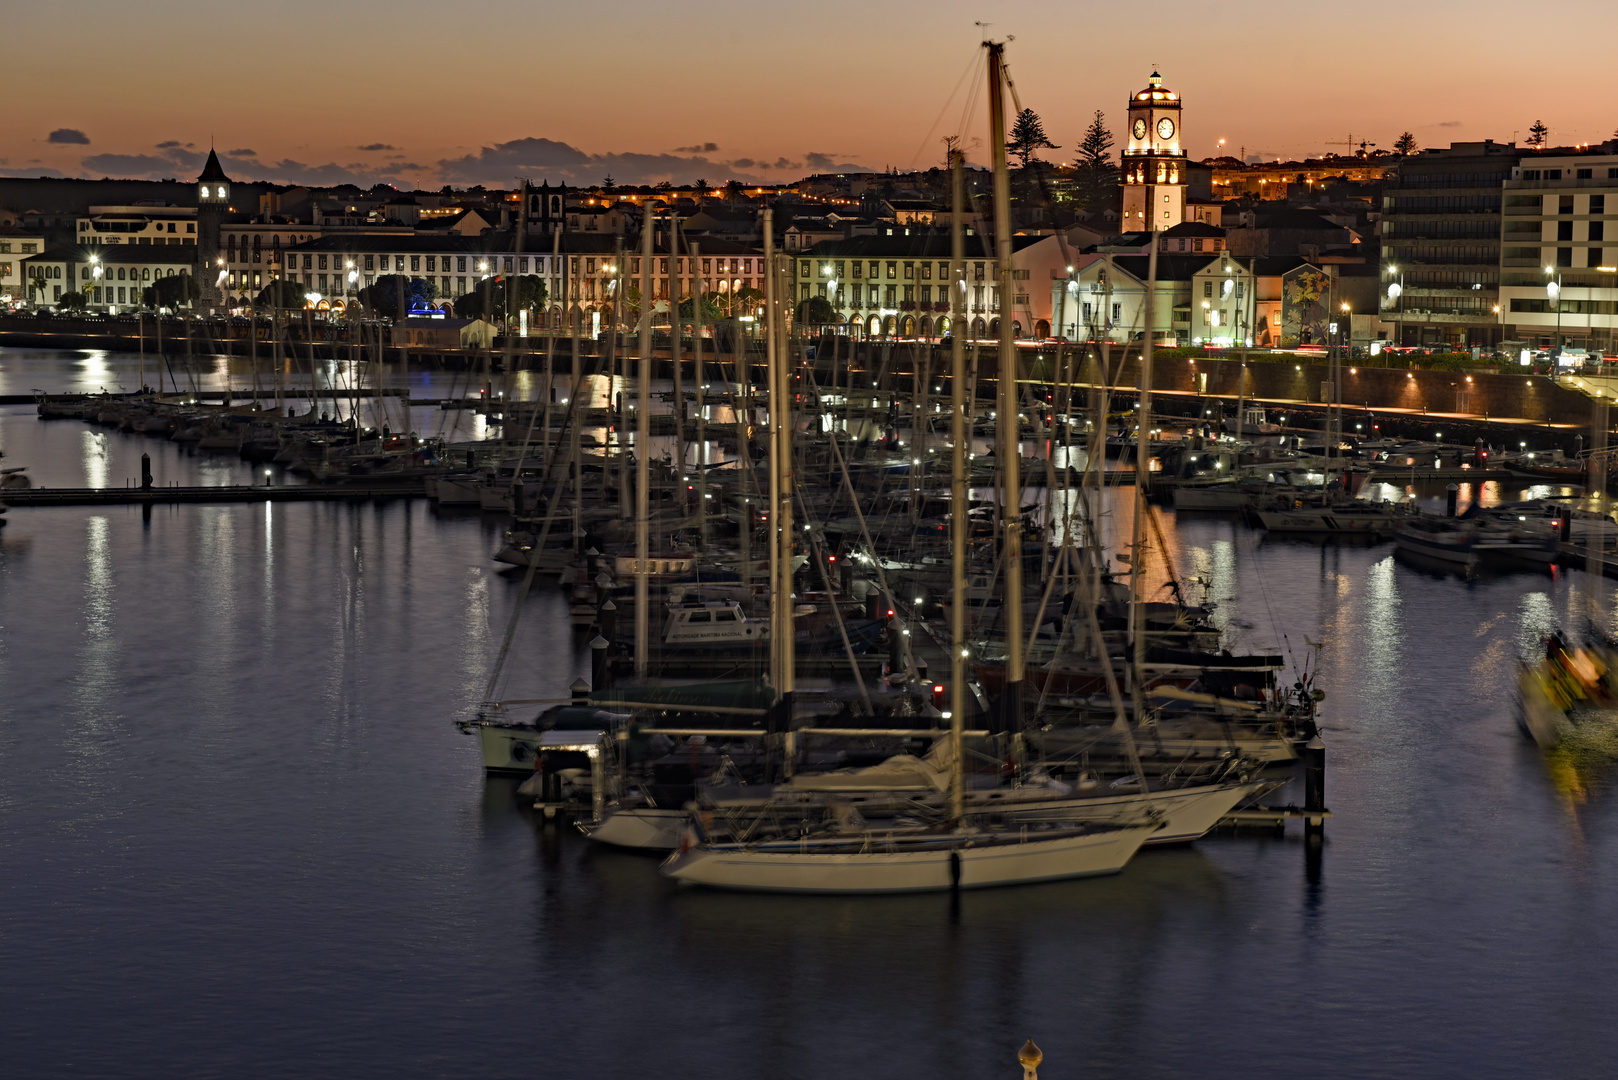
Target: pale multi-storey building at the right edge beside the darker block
(1559, 252)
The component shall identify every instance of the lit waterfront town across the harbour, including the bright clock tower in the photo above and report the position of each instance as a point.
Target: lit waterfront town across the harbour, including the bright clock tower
(1475, 245)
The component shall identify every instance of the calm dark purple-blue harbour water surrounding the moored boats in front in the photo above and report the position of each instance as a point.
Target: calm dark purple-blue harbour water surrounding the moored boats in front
(239, 836)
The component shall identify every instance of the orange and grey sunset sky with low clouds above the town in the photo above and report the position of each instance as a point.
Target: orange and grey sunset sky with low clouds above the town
(421, 95)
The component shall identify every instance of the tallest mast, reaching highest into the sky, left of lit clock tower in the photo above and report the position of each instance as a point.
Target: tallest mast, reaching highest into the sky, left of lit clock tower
(1007, 427)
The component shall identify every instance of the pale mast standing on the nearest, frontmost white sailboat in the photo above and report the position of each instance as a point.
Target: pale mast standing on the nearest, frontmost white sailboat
(957, 488)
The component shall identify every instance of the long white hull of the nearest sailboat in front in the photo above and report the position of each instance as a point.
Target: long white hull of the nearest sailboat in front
(975, 862)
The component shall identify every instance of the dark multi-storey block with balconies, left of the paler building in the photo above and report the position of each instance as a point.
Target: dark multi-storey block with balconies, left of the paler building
(1441, 245)
